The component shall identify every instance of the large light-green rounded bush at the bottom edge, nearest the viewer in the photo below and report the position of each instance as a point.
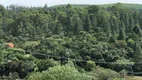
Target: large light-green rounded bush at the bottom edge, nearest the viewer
(61, 73)
